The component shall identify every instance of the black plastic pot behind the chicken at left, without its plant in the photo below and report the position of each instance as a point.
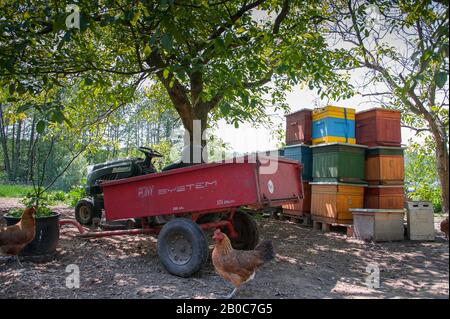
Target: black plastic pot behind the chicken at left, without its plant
(47, 235)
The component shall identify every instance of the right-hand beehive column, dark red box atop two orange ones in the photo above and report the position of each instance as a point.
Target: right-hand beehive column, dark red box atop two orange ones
(380, 130)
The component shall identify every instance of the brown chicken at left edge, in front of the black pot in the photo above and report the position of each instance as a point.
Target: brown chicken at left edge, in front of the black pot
(14, 238)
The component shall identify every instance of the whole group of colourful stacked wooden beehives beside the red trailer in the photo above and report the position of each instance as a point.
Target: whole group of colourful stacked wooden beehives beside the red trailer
(351, 160)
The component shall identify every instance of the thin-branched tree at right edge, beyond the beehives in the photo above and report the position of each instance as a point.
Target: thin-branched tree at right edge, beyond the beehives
(404, 48)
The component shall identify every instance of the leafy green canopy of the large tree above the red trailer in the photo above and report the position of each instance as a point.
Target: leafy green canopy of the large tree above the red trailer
(214, 58)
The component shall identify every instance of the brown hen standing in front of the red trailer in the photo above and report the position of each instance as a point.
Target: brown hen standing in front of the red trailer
(238, 266)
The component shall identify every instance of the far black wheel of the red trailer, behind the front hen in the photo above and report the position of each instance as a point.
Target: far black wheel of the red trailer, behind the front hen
(247, 229)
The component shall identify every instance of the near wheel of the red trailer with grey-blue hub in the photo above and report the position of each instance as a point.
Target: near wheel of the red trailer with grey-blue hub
(182, 247)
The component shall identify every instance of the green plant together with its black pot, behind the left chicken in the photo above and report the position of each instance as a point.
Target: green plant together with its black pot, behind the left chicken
(47, 225)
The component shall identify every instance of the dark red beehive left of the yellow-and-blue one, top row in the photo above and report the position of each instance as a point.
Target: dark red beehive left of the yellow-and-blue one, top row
(298, 127)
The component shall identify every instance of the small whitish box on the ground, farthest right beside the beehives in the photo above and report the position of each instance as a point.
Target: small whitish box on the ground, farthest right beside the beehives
(420, 220)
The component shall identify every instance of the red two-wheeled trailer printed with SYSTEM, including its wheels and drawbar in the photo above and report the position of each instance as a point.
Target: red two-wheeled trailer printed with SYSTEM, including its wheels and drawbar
(187, 201)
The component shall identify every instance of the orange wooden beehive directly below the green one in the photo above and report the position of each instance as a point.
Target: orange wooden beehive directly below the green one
(330, 202)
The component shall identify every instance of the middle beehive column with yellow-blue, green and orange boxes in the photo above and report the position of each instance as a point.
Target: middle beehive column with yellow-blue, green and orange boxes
(338, 166)
